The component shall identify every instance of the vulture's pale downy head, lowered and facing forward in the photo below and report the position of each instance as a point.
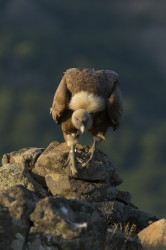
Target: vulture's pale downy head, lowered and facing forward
(81, 120)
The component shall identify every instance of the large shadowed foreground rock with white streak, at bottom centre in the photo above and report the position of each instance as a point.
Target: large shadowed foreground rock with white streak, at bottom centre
(71, 223)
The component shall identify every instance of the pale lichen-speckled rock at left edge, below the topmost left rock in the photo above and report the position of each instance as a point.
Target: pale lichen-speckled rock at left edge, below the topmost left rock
(18, 174)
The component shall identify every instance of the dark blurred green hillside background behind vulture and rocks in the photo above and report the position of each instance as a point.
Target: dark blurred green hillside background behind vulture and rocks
(40, 39)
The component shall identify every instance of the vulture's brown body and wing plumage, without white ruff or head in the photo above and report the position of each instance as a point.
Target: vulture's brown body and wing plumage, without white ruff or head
(102, 83)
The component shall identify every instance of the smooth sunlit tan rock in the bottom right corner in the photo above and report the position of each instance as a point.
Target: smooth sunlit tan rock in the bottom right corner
(153, 237)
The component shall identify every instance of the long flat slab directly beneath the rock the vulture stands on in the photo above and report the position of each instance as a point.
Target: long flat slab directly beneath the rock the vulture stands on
(69, 187)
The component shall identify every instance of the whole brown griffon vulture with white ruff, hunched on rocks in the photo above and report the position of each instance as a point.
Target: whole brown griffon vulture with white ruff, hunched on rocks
(87, 100)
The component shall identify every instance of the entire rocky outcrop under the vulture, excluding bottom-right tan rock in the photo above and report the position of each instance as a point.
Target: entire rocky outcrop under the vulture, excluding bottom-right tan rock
(46, 206)
